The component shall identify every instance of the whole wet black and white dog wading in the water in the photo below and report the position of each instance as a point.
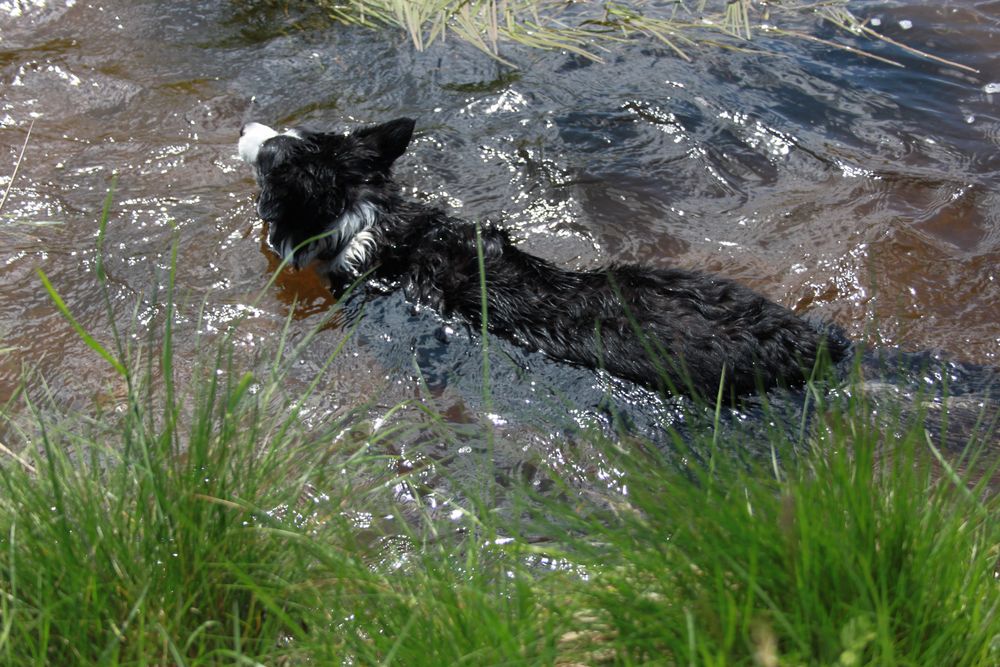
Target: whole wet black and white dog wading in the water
(669, 329)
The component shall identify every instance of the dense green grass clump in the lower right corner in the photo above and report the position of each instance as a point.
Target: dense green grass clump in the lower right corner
(844, 559)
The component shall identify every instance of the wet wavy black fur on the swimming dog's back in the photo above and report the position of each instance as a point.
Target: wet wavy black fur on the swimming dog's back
(670, 329)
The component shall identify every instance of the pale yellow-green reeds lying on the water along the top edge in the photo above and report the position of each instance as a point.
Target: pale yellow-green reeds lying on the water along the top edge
(589, 28)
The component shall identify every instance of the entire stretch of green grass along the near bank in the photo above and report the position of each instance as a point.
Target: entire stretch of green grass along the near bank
(211, 523)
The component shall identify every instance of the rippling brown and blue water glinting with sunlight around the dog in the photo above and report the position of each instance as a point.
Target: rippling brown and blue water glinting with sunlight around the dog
(854, 191)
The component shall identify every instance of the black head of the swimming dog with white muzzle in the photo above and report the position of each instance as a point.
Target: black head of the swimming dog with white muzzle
(318, 184)
